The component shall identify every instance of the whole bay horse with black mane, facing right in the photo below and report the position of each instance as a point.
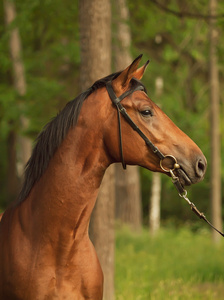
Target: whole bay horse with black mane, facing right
(45, 250)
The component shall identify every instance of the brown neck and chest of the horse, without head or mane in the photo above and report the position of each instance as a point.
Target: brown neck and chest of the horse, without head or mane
(48, 233)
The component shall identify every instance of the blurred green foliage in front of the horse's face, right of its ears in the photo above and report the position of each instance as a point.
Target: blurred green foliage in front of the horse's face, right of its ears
(178, 49)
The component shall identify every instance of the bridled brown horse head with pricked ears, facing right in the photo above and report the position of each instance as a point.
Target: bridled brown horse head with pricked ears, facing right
(155, 138)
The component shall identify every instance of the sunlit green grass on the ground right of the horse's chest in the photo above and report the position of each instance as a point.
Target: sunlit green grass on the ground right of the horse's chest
(176, 264)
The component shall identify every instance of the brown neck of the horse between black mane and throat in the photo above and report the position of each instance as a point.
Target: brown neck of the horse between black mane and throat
(65, 195)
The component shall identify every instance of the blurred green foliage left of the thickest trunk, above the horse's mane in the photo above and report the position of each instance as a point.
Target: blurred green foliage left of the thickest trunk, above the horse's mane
(50, 54)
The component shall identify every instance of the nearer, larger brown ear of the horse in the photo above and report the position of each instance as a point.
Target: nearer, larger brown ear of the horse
(122, 81)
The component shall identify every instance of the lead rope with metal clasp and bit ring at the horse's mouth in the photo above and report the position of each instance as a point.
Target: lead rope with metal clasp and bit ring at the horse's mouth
(183, 193)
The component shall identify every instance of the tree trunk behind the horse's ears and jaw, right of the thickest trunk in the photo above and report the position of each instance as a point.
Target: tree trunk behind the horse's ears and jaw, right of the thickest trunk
(127, 183)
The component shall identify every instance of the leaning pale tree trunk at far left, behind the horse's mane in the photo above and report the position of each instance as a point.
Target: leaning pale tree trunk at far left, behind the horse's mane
(25, 145)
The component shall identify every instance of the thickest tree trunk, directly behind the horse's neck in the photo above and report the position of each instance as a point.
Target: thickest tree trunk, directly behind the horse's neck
(95, 37)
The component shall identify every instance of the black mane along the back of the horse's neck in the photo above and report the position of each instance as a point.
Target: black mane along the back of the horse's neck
(52, 136)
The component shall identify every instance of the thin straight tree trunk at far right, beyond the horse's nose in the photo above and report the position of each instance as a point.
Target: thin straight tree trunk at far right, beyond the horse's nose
(215, 126)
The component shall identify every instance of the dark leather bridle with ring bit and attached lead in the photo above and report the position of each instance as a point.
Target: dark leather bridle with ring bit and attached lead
(138, 86)
